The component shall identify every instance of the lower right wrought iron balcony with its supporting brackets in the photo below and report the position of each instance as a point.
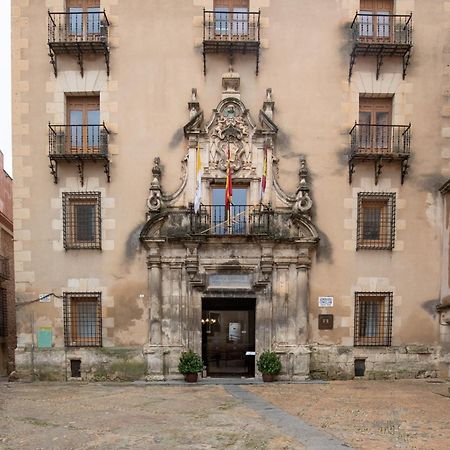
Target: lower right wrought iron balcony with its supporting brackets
(380, 143)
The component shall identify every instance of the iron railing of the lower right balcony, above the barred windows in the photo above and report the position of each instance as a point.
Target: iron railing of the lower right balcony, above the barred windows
(394, 140)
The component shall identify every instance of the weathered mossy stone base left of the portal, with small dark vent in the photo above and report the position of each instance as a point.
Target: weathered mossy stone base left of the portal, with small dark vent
(97, 364)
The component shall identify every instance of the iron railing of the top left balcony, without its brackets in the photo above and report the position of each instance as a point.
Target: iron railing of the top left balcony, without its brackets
(78, 27)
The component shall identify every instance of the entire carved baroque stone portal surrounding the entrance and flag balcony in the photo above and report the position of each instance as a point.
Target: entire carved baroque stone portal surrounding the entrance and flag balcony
(269, 261)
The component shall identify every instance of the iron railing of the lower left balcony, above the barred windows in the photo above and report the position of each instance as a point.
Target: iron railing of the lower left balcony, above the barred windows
(78, 140)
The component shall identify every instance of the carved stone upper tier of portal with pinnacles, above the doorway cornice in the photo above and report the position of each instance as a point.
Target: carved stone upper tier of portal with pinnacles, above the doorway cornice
(230, 133)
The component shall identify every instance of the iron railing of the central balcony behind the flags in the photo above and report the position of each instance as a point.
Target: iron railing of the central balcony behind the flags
(242, 220)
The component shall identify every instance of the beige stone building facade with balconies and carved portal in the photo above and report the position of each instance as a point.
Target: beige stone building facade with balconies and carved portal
(299, 254)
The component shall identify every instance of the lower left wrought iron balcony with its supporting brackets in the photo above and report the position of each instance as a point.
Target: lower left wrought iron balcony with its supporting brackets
(78, 143)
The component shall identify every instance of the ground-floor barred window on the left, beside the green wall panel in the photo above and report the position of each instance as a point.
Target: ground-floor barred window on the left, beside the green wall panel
(72, 324)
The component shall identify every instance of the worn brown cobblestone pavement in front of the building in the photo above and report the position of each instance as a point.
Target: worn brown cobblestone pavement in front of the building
(363, 414)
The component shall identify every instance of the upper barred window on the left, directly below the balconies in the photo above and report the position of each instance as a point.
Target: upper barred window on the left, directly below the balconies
(71, 225)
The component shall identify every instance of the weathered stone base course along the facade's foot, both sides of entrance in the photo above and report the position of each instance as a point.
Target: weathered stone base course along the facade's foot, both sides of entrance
(157, 363)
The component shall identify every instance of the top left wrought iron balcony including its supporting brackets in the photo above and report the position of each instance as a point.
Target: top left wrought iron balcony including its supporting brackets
(78, 33)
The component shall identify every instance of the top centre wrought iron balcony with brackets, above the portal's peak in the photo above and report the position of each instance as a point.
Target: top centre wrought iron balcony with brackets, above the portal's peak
(231, 32)
